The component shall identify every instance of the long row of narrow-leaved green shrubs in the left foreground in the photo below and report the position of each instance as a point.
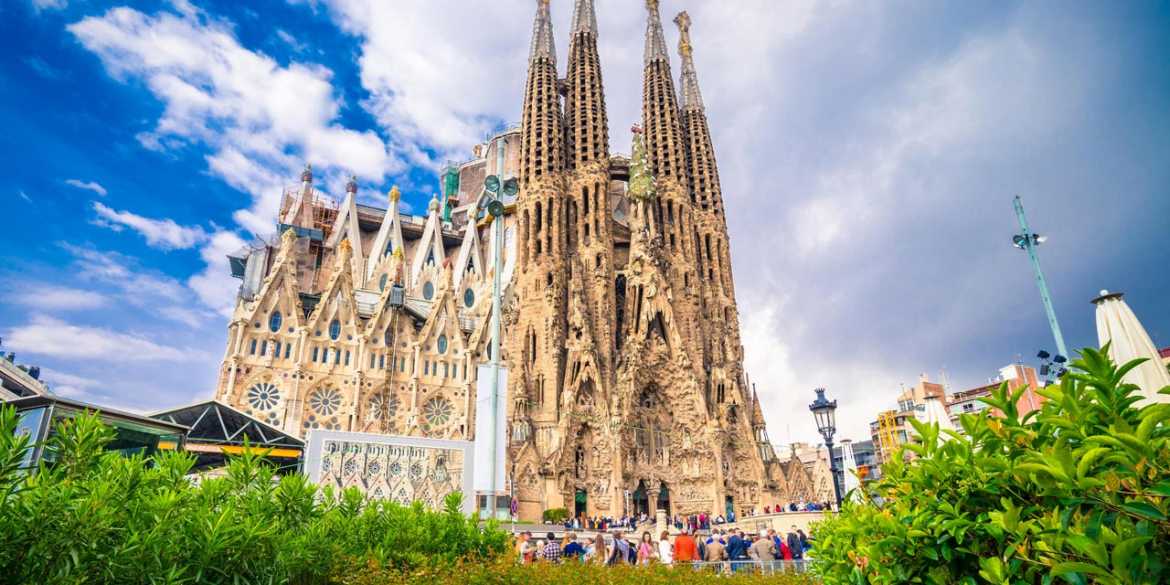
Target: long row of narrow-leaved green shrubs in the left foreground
(99, 518)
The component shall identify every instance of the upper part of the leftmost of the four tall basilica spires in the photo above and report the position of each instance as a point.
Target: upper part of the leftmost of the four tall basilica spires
(542, 126)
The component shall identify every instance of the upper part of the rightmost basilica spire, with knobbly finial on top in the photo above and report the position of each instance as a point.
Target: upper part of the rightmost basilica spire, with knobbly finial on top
(701, 167)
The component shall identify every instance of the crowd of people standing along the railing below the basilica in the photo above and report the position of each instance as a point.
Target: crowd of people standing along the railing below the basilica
(725, 550)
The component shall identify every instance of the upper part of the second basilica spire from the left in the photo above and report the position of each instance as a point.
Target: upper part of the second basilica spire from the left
(588, 125)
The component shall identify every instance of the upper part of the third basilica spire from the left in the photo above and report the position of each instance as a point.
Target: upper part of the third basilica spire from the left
(660, 106)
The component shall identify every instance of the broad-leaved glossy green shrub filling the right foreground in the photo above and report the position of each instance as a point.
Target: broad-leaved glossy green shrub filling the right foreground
(1077, 492)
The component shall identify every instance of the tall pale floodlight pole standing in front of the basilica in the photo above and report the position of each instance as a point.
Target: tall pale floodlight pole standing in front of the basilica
(495, 209)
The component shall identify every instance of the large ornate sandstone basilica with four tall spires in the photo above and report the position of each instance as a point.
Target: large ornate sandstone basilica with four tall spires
(627, 389)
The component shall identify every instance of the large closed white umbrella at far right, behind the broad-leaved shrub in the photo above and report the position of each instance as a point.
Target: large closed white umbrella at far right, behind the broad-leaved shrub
(1119, 327)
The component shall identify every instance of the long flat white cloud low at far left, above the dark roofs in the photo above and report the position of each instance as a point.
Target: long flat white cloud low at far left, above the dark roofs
(49, 336)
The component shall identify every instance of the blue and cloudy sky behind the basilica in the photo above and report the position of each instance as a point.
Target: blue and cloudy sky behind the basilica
(869, 154)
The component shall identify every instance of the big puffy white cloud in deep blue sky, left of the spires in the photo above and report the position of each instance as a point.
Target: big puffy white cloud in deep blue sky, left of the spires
(260, 120)
